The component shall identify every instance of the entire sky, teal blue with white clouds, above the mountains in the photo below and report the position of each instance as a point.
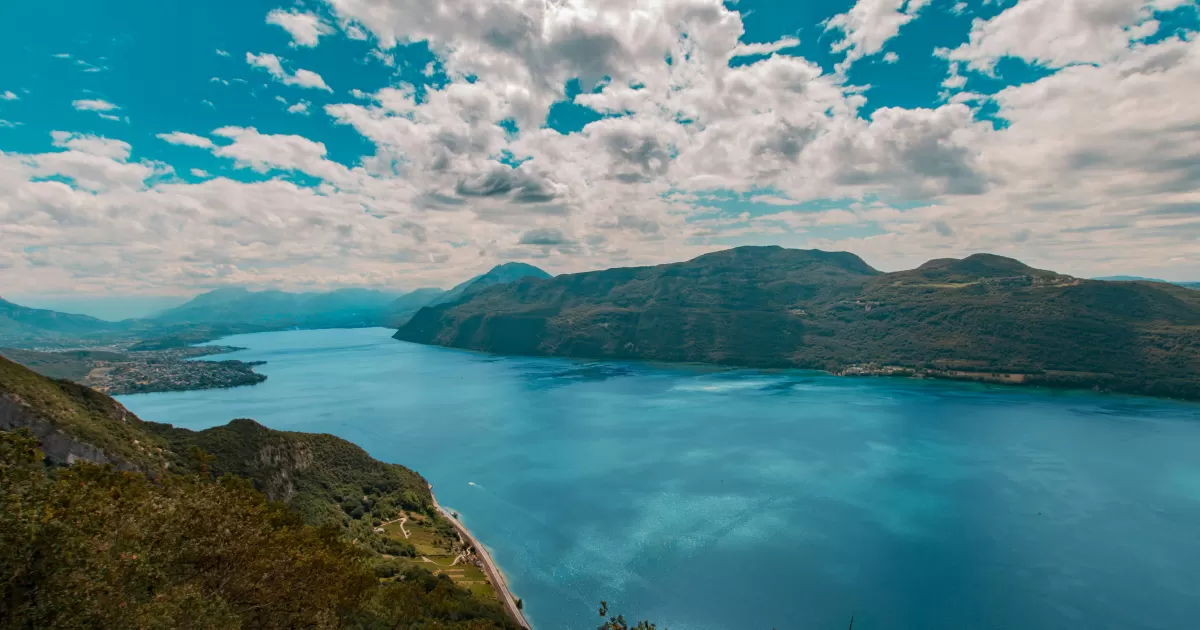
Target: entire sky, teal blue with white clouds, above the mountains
(157, 149)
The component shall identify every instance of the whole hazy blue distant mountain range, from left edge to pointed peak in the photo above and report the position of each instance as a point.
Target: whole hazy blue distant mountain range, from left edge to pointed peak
(230, 311)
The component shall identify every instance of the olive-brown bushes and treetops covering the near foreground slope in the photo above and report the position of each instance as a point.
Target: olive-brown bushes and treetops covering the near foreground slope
(91, 548)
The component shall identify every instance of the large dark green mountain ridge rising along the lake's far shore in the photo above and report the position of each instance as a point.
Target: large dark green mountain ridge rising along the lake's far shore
(983, 317)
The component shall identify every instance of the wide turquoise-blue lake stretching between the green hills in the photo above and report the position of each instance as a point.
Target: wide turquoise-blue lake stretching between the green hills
(713, 500)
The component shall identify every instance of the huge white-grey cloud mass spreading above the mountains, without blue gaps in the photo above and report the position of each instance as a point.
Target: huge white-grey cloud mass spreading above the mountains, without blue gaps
(1090, 170)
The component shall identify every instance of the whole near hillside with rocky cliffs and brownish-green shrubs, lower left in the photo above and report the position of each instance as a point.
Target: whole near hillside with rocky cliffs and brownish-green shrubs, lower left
(232, 527)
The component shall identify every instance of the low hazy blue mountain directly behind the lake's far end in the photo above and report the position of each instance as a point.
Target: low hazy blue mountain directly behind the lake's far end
(279, 310)
